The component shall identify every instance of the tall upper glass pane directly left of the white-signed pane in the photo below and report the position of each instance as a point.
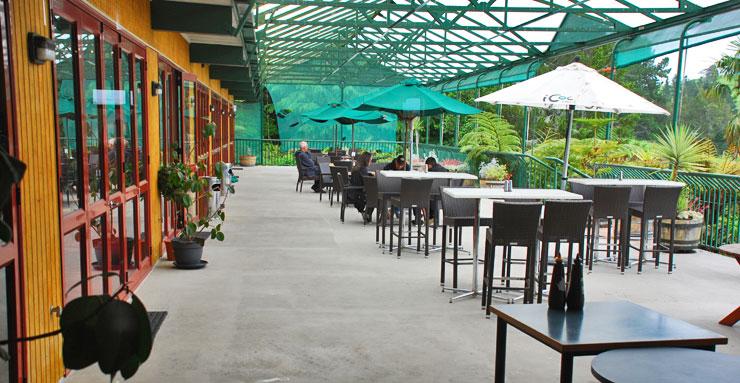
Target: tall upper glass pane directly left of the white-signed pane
(94, 122)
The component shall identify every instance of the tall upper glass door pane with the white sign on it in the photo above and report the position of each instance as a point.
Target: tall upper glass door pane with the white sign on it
(109, 98)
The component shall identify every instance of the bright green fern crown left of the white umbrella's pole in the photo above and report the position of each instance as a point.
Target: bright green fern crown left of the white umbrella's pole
(488, 132)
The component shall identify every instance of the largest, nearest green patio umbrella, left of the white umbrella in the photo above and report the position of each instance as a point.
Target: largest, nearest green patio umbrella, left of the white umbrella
(409, 100)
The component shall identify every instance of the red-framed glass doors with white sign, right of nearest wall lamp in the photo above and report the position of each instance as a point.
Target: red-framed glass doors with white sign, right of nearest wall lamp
(101, 129)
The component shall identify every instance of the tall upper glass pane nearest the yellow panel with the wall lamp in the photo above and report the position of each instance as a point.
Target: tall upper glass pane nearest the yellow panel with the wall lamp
(66, 79)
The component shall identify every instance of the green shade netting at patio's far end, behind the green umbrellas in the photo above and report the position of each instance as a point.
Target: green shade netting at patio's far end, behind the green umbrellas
(291, 101)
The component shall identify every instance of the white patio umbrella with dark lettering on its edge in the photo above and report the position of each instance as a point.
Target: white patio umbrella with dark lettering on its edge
(573, 87)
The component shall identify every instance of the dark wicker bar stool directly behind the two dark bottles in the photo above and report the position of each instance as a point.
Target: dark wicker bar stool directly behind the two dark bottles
(564, 223)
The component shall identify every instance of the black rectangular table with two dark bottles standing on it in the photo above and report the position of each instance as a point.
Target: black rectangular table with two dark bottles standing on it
(601, 326)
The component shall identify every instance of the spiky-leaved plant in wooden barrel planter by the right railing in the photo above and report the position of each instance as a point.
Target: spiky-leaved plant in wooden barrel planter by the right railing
(684, 150)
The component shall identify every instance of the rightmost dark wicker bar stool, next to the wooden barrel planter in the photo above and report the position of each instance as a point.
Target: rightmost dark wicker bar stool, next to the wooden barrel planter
(658, 204)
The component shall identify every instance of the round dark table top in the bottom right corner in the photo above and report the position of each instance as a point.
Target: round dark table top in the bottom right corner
(659, 365)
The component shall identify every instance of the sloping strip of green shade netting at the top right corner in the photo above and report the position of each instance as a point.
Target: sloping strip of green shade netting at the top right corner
(667, 40)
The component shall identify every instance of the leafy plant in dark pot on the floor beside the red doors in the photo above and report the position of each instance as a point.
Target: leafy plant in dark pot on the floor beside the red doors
(180, 183)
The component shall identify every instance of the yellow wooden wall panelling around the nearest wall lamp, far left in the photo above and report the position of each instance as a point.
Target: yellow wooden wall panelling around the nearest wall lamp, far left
(37, 147)
